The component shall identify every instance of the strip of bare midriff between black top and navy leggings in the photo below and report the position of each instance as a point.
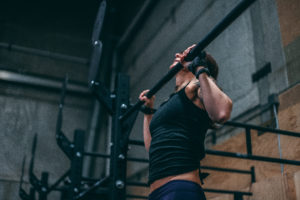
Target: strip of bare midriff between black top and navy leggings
(192, 176)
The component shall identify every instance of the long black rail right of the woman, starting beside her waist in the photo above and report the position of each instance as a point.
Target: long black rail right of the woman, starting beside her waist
(251, 157)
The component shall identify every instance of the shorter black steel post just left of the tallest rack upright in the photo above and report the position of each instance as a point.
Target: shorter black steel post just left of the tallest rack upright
(76, 164)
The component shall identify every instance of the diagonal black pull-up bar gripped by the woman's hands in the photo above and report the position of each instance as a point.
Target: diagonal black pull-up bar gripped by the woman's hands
(219, 28)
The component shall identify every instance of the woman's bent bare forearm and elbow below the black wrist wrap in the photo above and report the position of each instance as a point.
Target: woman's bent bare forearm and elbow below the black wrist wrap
(217, 104)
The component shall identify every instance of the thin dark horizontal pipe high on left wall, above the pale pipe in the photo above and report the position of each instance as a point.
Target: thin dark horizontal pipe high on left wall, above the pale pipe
(44, 53)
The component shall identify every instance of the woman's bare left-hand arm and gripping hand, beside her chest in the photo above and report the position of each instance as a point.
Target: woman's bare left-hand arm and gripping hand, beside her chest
(147, 118)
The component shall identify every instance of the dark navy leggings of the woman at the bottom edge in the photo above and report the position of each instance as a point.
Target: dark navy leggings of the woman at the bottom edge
(178, 190)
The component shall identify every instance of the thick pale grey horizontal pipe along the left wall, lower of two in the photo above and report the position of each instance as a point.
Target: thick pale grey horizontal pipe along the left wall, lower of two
(41, 82)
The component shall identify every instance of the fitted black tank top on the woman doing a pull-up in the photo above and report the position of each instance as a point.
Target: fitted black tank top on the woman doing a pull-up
(178, 131)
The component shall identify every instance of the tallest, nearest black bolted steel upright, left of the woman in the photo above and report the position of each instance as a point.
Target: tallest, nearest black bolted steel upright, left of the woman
(118, 152)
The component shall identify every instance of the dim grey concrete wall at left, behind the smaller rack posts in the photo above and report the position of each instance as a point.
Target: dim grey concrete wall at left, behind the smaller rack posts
(28, 110)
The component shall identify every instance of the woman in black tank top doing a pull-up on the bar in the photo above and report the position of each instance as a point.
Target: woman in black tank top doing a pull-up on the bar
(174, 135)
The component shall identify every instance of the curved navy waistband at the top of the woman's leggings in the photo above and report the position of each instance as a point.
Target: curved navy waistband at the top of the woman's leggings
(175, 185)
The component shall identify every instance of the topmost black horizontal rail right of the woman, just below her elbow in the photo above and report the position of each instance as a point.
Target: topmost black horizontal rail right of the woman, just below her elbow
(264, 129)
